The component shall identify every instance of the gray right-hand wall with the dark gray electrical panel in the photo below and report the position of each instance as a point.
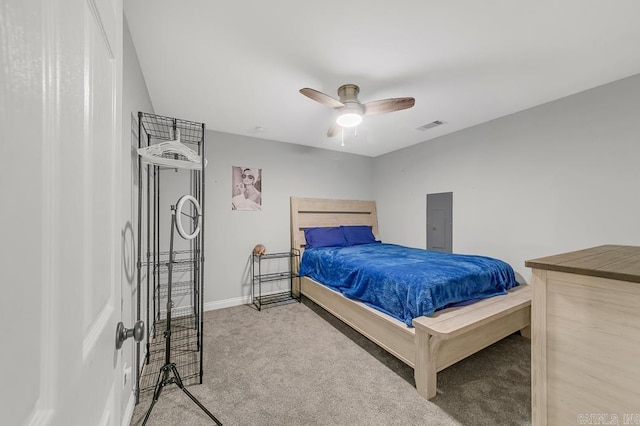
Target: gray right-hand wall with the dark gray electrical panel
(558, 177)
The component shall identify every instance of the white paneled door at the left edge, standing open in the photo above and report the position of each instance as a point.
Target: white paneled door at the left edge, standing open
(60, 100)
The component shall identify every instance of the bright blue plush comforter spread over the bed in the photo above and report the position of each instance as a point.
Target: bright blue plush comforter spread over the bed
(405, 282)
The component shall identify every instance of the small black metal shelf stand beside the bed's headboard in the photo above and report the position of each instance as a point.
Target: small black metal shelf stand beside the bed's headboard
(258, 278)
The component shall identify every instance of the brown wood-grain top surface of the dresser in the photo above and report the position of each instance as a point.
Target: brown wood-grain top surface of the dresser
(609, 261)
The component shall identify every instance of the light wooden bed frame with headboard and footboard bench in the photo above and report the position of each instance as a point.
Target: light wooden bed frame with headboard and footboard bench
(435, 342)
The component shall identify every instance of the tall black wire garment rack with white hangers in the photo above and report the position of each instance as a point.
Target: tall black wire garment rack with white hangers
(188, 261)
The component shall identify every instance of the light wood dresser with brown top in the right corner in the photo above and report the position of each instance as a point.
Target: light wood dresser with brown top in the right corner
(585, 347)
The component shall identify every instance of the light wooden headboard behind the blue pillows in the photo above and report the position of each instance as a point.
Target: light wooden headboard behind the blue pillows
(322, 212)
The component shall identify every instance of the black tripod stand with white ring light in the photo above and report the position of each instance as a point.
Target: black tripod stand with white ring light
(169, 368)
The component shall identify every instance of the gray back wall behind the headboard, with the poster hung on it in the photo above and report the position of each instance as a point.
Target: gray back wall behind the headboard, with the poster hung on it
(287, 170)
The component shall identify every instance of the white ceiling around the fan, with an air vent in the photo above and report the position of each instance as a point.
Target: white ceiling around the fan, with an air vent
(238, 65)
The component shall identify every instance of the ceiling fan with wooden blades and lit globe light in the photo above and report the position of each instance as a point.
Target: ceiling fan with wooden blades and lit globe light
(351, 110)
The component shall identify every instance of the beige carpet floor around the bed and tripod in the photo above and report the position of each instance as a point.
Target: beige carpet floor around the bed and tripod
(296, 365)
